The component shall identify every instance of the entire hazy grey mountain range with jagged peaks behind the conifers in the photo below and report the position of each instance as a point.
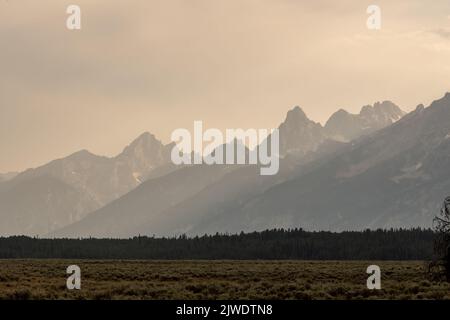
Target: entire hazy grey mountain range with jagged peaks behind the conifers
(375, 169)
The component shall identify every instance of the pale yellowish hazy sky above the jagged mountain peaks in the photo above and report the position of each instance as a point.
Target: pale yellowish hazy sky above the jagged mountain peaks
(147, 65)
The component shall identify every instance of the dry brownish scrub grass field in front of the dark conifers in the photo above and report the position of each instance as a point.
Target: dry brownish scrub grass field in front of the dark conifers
(46, 279)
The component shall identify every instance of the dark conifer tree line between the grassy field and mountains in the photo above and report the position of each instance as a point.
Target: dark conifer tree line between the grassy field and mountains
(276, 244)
